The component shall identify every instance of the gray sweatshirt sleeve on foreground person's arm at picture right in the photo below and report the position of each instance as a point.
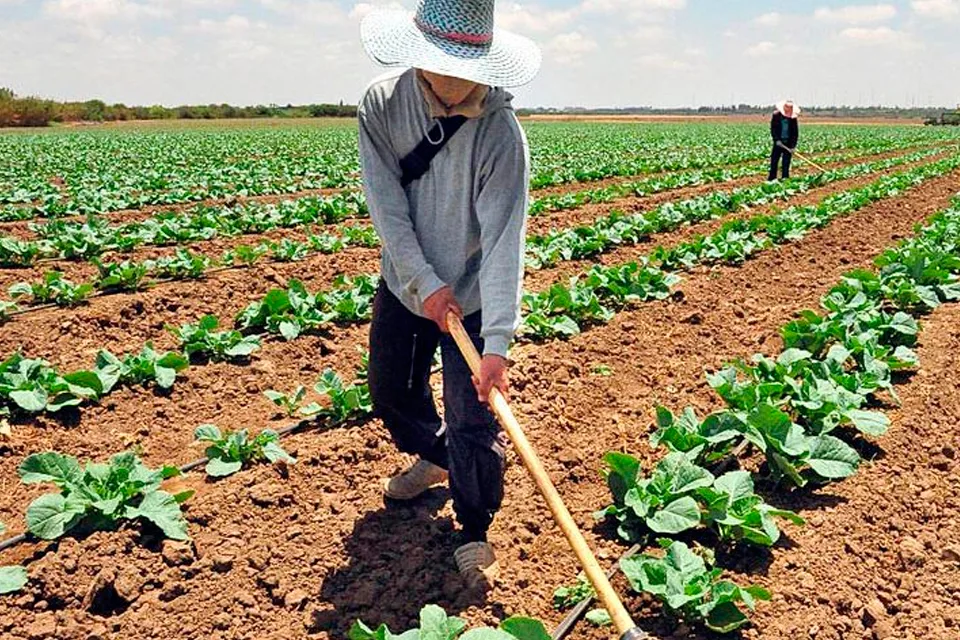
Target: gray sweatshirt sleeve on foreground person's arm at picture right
(502, 214)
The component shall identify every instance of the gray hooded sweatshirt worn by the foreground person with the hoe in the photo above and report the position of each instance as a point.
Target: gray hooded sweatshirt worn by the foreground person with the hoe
(463, 223)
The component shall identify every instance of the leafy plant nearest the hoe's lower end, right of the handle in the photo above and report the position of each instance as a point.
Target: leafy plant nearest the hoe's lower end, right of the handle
(680, 579)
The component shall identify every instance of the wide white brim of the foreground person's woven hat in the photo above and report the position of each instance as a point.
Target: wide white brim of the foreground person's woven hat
(392, 38)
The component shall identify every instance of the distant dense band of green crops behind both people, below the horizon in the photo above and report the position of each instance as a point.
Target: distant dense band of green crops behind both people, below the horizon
(91, 172)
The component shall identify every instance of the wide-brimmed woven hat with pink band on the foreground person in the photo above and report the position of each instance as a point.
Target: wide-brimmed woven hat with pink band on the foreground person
(453, 38)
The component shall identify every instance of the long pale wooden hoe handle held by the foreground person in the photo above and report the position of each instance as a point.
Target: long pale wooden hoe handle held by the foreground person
(498, 404)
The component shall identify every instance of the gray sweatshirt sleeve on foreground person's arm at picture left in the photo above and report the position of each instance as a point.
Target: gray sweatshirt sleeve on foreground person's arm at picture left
(388, 204)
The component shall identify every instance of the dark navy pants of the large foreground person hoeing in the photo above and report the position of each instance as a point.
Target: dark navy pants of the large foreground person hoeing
(468, 442)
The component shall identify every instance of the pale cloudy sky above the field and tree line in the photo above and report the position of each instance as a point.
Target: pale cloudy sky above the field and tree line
(615, 53)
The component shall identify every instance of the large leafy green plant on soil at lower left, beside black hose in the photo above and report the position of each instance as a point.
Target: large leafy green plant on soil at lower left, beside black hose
(100, 495)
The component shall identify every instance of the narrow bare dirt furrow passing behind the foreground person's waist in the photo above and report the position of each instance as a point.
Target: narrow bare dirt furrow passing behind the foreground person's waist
(70, 337)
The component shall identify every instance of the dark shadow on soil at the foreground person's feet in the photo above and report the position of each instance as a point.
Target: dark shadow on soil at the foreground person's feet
(401, 558)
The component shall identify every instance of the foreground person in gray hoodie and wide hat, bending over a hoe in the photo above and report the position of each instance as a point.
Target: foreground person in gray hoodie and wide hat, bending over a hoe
(452, 228)
